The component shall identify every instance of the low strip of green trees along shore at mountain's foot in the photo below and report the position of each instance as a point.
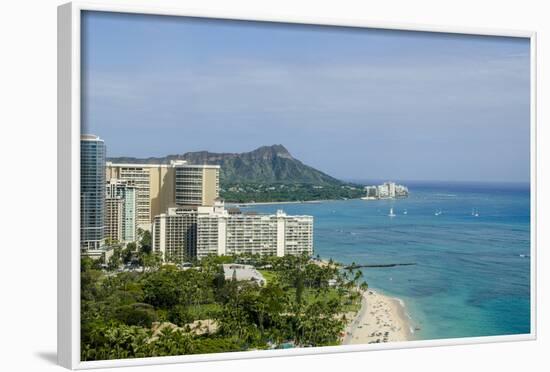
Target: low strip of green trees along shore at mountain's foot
(280, 192)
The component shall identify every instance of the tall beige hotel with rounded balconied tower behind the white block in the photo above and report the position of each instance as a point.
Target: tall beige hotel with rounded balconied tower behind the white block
(162, 186)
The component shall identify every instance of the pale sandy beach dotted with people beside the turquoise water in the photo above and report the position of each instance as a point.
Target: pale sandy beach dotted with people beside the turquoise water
(381, 319)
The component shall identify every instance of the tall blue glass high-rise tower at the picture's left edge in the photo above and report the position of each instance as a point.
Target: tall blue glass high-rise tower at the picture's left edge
(92, 192)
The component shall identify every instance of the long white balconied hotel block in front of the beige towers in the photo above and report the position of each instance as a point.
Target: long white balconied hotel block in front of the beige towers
(213, 230)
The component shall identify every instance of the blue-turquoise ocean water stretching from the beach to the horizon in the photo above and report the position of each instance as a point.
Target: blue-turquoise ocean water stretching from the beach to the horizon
(470, 244)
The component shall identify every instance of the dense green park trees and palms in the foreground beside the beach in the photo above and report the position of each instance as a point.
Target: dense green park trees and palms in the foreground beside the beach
(155, 311)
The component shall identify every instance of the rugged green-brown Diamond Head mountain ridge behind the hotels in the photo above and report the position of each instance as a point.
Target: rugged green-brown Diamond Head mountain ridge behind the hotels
(266, 174)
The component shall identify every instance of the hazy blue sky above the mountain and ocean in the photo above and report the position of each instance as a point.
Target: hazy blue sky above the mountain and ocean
(354, 103)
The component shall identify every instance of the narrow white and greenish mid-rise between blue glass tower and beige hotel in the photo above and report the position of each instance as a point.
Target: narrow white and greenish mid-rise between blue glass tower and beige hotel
(121, 224)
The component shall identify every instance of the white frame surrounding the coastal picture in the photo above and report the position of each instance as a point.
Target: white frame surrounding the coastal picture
(68, 261)
